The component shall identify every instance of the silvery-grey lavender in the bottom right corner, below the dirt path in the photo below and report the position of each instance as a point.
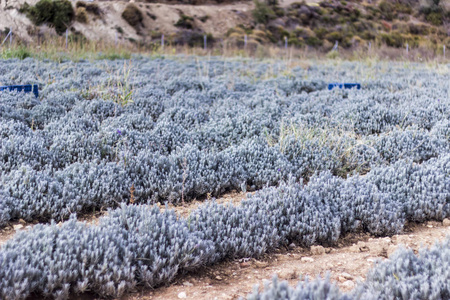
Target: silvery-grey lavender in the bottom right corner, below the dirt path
(404, 275)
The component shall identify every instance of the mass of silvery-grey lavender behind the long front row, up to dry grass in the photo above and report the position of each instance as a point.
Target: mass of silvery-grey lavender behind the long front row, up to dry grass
(197, 127)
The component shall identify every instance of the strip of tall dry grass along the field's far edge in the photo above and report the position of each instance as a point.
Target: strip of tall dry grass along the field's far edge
(54, 47)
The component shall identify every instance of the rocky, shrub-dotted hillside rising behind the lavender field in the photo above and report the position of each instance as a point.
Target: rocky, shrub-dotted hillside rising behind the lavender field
(317, 24)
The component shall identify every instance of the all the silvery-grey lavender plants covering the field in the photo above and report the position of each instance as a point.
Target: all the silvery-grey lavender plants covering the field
(326, 162)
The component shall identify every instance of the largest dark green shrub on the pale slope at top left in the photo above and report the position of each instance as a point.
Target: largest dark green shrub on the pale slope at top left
(57, 13)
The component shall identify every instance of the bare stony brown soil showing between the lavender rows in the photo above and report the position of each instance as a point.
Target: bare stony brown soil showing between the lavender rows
(347, 263)
